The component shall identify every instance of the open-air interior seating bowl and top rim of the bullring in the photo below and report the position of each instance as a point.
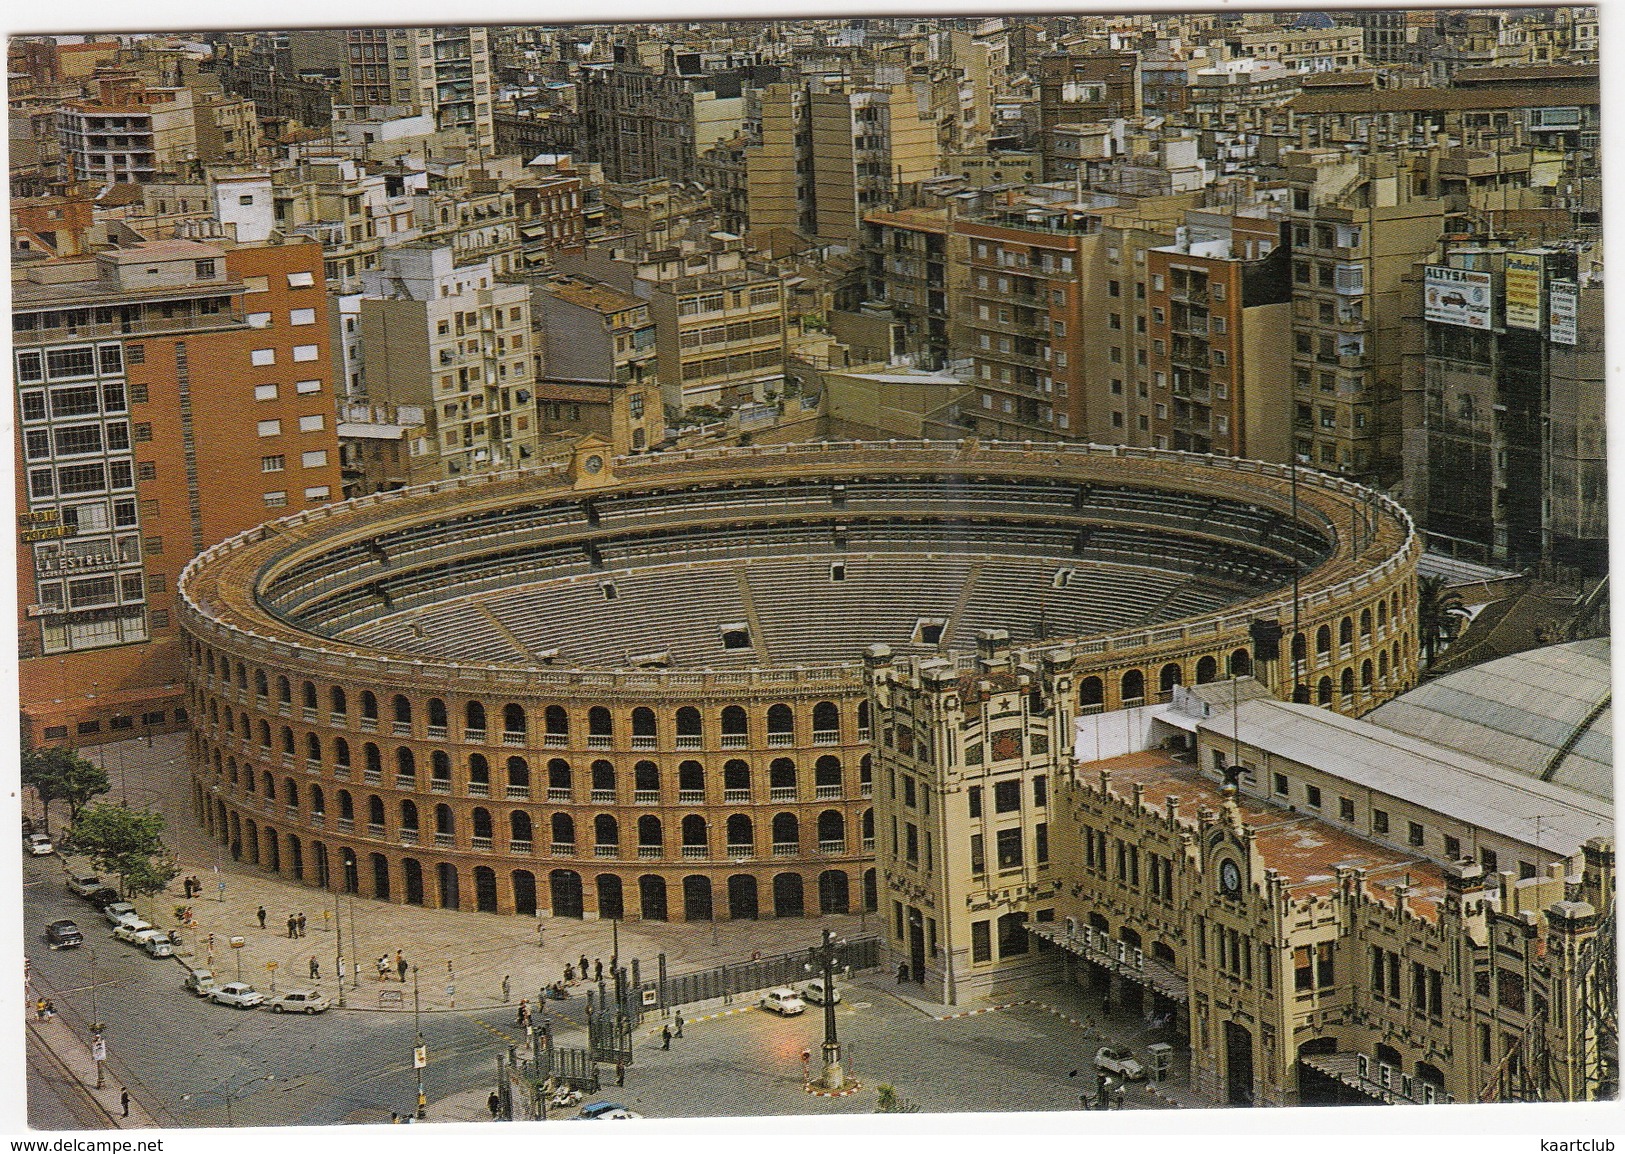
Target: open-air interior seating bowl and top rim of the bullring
(799, 557)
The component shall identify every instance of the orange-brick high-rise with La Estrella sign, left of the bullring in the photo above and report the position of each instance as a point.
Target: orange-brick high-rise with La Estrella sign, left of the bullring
(170, 396)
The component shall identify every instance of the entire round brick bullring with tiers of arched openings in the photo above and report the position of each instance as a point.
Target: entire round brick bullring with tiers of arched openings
(638, 692)
